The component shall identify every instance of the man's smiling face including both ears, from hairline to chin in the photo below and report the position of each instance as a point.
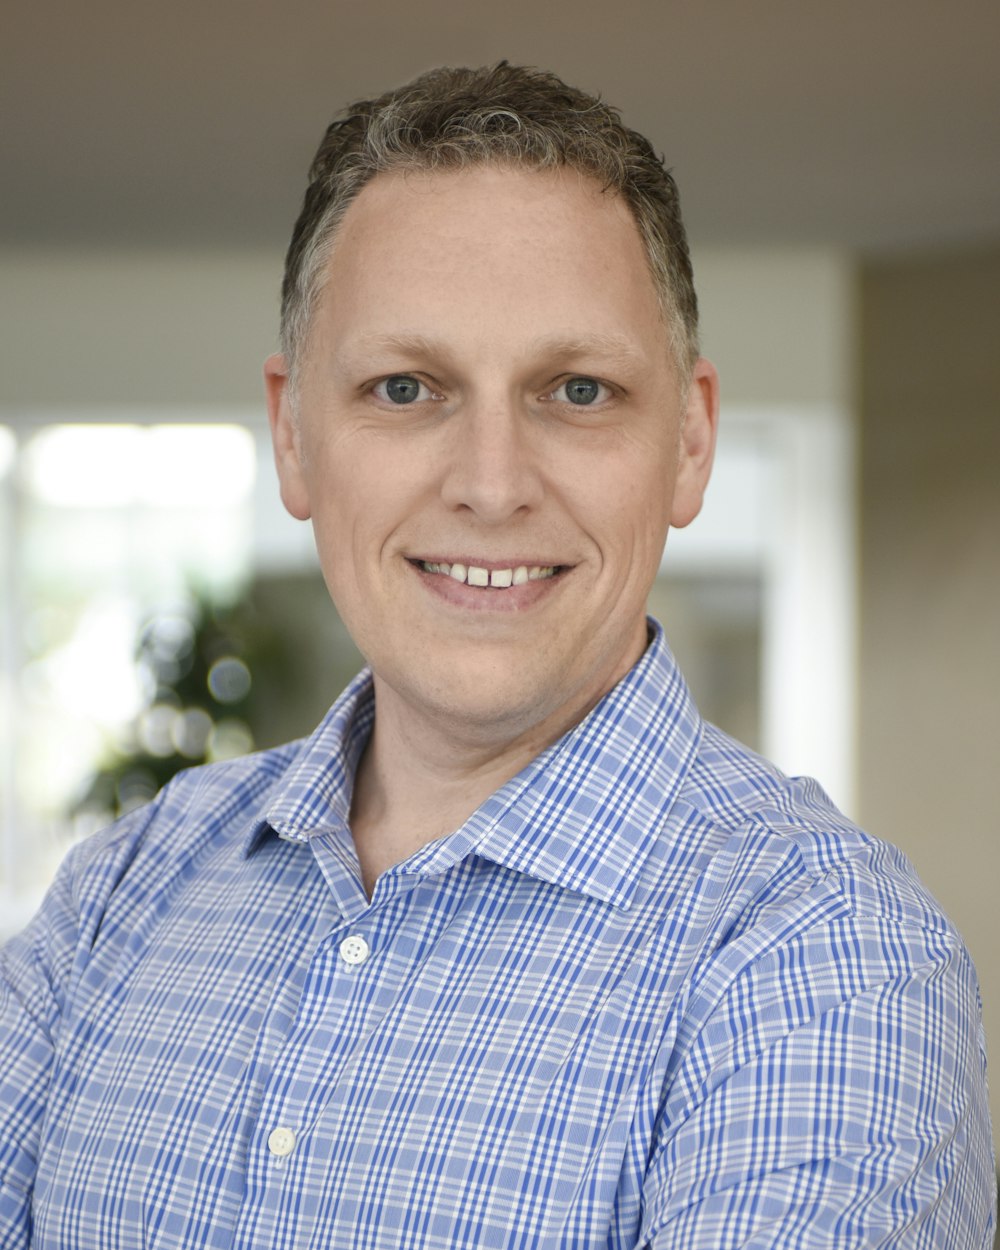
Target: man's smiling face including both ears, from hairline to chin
(492, 442)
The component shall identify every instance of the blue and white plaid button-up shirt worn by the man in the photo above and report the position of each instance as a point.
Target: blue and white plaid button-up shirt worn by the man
(652, 994)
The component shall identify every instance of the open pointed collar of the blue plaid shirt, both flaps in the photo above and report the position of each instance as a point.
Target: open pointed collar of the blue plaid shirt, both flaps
(583, 816)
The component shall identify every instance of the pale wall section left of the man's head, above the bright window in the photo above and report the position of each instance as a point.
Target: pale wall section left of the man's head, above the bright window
(118, 328)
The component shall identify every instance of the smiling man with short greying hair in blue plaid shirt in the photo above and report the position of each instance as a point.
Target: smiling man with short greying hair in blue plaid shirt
(514, 951)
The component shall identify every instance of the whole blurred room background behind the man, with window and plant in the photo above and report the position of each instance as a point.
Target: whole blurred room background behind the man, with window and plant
(838, 604)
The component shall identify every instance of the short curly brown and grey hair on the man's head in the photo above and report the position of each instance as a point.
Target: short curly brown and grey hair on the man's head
(507, 117)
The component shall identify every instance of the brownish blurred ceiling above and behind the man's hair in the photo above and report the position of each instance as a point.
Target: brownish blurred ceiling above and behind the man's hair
(871, 124)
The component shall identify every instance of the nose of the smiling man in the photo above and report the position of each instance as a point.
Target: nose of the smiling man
(493, 467)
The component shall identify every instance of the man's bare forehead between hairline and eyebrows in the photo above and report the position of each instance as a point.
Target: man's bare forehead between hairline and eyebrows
(541, 251)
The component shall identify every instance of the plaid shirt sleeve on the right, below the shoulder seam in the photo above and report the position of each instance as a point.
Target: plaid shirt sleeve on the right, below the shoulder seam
(842, 1109)
